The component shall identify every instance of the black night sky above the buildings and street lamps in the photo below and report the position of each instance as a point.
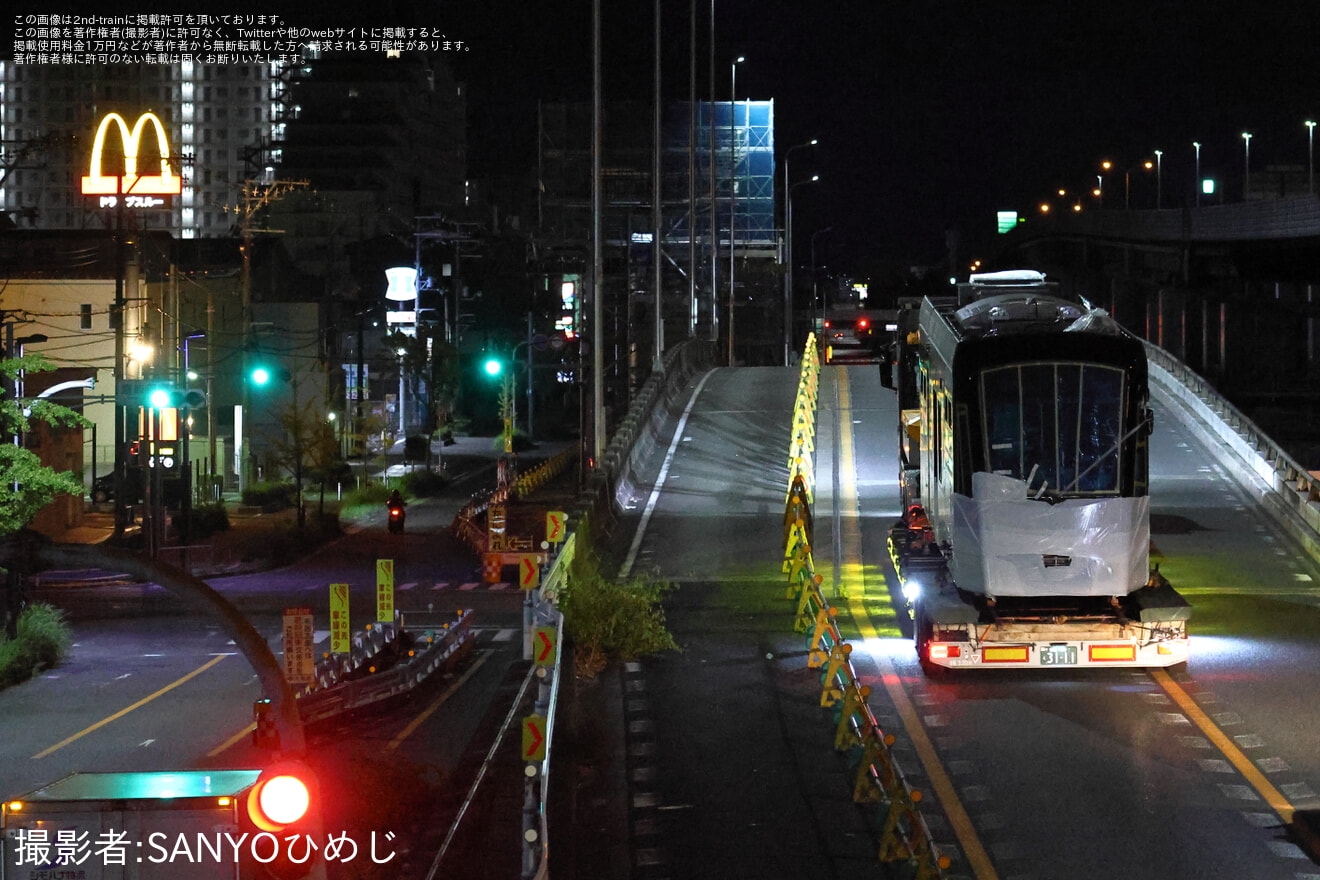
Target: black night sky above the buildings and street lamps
(933, 114)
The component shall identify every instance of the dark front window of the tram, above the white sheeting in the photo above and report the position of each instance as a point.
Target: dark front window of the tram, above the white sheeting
(1055, 424)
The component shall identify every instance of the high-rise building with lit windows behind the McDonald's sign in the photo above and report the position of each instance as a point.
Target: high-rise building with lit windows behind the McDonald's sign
(220, 122)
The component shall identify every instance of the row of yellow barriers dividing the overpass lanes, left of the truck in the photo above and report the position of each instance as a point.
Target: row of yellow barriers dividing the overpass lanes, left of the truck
(905, 836)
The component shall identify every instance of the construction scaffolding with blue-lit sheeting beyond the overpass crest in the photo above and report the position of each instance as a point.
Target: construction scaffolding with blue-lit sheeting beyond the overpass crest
(741, 141)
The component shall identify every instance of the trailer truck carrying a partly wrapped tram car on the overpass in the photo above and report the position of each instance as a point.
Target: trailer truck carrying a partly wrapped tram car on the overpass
(1024, 482)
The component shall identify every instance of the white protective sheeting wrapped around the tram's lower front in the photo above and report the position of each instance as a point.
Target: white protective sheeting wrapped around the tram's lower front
(1003, 539)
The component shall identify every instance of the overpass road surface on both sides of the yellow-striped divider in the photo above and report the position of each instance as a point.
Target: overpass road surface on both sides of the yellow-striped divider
(1028, 775)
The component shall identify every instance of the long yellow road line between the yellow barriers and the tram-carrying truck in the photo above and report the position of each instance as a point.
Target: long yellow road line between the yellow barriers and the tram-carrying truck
(853, 577)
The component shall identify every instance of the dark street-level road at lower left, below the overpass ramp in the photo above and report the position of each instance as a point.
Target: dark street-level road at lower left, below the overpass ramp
(151, 687)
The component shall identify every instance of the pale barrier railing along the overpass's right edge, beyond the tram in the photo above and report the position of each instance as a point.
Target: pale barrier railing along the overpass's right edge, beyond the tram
(1294, 498)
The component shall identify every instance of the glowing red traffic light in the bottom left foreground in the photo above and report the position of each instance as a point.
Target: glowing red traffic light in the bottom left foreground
(284, 808)
